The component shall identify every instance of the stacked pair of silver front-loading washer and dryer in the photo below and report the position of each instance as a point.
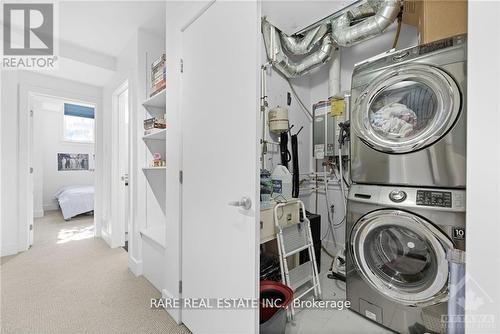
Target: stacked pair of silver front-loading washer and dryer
(406, 207)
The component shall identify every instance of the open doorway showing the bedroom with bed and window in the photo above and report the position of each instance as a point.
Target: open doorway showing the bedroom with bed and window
(61, 155)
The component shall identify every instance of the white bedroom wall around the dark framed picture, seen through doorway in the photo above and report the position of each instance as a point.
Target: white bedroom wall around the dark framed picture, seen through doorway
(48, 142)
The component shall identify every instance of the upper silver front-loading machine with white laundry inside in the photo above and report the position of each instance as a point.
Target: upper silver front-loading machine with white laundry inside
(408, 116)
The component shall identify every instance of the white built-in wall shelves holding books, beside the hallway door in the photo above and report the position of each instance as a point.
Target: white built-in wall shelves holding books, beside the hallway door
(153, 232)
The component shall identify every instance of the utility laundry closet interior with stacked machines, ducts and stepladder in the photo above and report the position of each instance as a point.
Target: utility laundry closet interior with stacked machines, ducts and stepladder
(362, 165)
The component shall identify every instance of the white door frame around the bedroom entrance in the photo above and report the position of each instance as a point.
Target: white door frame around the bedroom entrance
(26, 93)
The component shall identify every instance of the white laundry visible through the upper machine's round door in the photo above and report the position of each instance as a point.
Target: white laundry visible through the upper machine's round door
(394, 119)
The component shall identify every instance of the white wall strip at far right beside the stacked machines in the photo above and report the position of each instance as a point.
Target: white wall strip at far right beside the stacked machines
(483, 169)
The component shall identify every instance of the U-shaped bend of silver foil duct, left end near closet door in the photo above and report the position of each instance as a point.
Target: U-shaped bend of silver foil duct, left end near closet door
(283, 63)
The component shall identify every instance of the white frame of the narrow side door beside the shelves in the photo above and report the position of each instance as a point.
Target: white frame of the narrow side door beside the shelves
(117, 237)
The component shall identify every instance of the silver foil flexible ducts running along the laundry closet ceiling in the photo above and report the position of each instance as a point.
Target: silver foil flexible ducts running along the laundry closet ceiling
(296, 55)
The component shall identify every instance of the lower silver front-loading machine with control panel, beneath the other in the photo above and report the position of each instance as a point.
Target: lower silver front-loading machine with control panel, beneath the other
(397, 241)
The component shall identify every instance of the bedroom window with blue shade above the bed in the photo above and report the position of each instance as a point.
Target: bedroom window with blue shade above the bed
(79, 123)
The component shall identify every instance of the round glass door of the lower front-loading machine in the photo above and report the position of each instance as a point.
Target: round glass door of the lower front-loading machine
(402, 256)
